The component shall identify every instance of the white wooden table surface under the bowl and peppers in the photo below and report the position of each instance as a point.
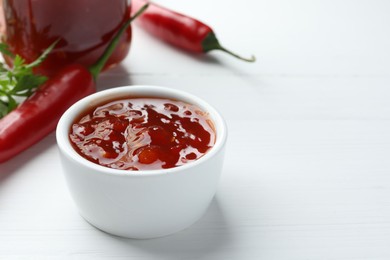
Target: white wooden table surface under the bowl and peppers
(307, 170)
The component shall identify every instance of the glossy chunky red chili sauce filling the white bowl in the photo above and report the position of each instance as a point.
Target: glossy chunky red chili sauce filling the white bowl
(142, 133)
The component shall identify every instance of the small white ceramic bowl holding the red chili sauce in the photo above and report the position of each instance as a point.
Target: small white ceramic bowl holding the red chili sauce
(141, 204)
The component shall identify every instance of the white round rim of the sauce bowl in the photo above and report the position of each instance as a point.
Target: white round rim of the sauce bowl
(63, 127)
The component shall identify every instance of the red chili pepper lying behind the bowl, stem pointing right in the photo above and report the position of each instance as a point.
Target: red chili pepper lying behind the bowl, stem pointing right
(180, 30)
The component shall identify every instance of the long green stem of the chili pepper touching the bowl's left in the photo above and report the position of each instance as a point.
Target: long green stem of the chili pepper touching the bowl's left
(97, 67)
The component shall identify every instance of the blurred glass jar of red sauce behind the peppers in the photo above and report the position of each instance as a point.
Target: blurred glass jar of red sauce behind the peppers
(83, 27)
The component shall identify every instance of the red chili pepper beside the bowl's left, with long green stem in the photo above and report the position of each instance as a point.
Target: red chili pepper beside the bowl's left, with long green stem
(38, 115)
